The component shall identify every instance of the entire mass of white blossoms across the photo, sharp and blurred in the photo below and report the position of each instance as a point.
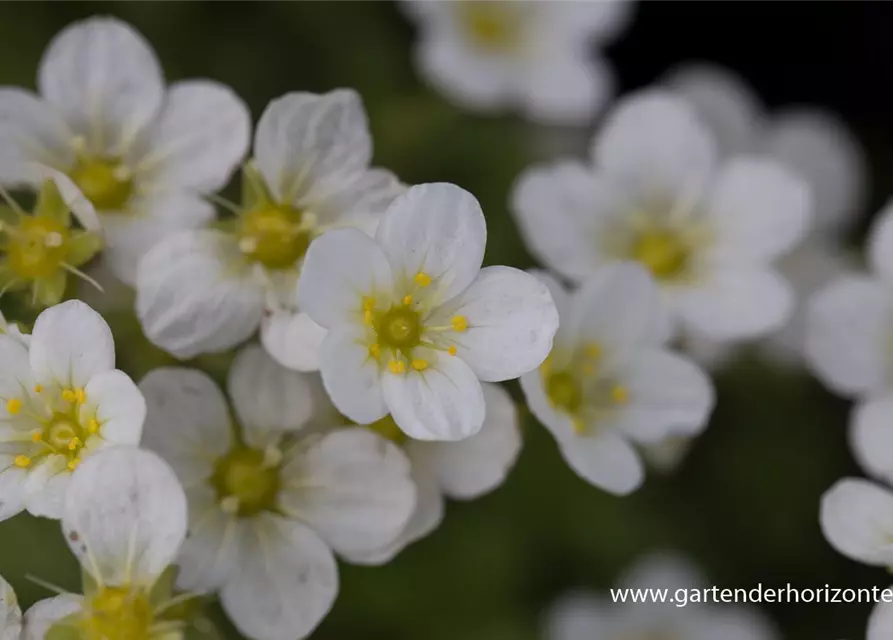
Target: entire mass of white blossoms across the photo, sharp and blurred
(367, 336)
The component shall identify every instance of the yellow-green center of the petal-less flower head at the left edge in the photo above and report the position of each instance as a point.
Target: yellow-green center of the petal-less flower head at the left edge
(36, 247)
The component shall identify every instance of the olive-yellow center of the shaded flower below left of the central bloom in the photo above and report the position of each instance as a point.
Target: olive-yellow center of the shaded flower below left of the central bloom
(246, 481)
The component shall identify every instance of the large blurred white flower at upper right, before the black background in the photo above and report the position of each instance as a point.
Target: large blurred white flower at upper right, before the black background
(657, 194)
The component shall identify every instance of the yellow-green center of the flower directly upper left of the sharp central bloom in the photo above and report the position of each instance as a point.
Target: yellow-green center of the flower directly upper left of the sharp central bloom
(276, 236)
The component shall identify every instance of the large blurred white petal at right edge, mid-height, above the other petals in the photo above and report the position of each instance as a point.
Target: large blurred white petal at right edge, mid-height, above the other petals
(847, 333)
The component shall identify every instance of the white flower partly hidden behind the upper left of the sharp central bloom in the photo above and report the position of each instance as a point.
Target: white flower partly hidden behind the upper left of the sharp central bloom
(206, 291)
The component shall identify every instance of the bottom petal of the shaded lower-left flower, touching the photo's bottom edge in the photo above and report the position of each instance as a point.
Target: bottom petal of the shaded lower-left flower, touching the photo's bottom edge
(285, 583)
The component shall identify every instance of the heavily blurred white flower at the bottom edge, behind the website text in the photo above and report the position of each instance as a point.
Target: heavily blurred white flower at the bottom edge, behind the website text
(589, 616)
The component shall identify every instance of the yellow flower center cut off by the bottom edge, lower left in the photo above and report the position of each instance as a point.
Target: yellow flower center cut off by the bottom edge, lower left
(118, 613)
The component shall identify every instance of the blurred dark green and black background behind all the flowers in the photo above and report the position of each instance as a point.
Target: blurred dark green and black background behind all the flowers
(744, 505)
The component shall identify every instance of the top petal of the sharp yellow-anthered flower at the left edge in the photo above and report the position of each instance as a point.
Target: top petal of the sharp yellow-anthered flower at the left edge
(70, 344)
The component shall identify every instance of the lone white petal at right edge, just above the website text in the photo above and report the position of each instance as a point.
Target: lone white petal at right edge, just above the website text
(857, 519)
